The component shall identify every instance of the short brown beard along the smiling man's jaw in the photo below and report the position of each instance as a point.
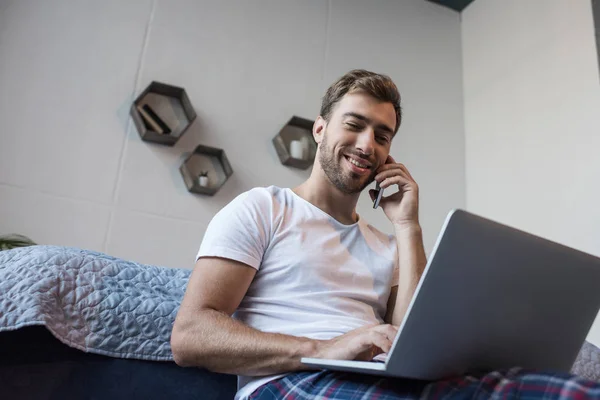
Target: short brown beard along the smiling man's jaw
(346, 181)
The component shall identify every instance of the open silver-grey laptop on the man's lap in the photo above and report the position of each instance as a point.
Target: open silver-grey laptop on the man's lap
(491, 297)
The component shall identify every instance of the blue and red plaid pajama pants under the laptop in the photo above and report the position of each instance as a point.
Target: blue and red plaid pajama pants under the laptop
(515, 383)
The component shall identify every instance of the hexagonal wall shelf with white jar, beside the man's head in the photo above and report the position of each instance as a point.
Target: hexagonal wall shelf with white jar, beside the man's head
(295, 144)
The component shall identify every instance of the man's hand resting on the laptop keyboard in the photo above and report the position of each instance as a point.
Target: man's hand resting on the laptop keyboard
(361, 344)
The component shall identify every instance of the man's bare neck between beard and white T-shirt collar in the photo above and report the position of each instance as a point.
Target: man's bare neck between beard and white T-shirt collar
(320, 192)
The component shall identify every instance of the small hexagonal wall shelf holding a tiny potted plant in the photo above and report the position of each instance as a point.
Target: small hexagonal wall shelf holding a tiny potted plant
(206, 170)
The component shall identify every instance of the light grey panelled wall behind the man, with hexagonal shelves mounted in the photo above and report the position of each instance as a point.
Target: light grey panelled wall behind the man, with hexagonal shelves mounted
(73, 170)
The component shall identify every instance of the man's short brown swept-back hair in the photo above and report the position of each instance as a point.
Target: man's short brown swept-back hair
(359, 80)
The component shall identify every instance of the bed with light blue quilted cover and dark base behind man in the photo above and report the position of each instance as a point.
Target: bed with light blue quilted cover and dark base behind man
(81, 324)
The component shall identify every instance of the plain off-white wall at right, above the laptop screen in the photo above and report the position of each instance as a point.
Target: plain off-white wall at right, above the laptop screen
(532, 119)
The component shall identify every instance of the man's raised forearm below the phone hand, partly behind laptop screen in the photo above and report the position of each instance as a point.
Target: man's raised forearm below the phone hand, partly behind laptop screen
(412, 261)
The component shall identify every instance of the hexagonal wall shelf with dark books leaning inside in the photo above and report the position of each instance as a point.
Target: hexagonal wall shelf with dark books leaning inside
(162, 113)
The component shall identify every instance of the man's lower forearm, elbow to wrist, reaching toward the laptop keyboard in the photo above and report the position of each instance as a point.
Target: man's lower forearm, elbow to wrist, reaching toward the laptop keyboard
(220, 343)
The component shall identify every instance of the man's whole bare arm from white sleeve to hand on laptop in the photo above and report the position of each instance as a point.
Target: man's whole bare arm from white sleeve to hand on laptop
(205, 335)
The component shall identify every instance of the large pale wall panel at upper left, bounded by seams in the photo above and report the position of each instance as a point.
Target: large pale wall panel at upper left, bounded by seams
(67, 69)
